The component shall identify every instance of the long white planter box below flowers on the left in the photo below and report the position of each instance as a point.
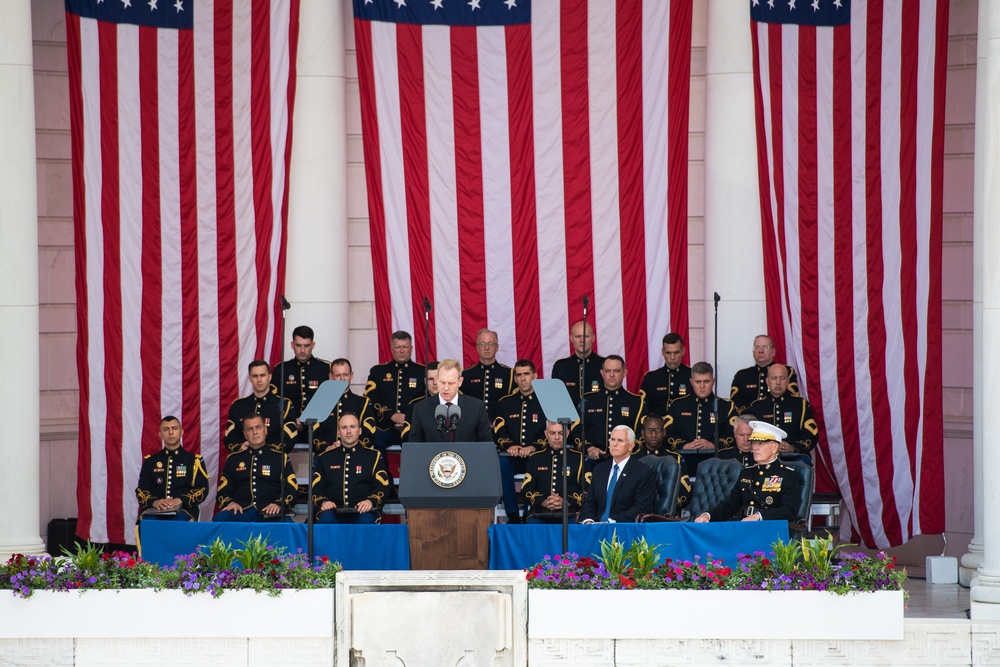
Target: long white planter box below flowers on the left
(144, 613)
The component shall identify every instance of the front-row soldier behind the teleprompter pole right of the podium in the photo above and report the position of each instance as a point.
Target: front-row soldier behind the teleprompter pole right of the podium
(542, 486)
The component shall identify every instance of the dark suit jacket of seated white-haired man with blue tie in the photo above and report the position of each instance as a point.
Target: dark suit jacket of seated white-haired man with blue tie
(635, 492)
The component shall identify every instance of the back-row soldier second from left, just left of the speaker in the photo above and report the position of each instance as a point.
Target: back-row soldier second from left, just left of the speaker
(391, 386)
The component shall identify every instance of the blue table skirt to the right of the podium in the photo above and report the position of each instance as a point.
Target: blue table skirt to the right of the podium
(520, 546)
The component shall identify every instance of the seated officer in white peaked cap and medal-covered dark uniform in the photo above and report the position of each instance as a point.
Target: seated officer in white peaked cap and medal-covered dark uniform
(767, 490)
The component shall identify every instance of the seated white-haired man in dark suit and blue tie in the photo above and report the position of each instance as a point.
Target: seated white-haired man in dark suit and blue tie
(623, 487)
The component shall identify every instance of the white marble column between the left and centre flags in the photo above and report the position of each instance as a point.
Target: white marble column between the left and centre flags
(316, 277)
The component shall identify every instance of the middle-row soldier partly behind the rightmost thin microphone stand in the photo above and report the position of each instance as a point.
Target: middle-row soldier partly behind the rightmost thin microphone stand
(691, 420)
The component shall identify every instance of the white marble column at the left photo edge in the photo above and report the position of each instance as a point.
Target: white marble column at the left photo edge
(19, 523)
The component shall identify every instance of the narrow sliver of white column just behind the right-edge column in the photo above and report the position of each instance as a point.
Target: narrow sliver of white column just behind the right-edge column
(973, 559)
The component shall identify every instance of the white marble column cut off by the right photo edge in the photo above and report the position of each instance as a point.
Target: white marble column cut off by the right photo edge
(985, 593)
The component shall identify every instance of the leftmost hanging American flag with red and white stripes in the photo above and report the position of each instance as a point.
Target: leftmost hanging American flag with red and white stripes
(180, 117)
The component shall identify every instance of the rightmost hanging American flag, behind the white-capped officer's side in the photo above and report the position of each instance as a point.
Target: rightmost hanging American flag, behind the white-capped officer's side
(850, 125)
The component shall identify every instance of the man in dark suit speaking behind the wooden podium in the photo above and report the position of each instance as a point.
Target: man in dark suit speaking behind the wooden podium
(452, 417)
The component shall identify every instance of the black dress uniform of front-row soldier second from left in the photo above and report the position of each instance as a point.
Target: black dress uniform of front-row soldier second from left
(252, 478)
